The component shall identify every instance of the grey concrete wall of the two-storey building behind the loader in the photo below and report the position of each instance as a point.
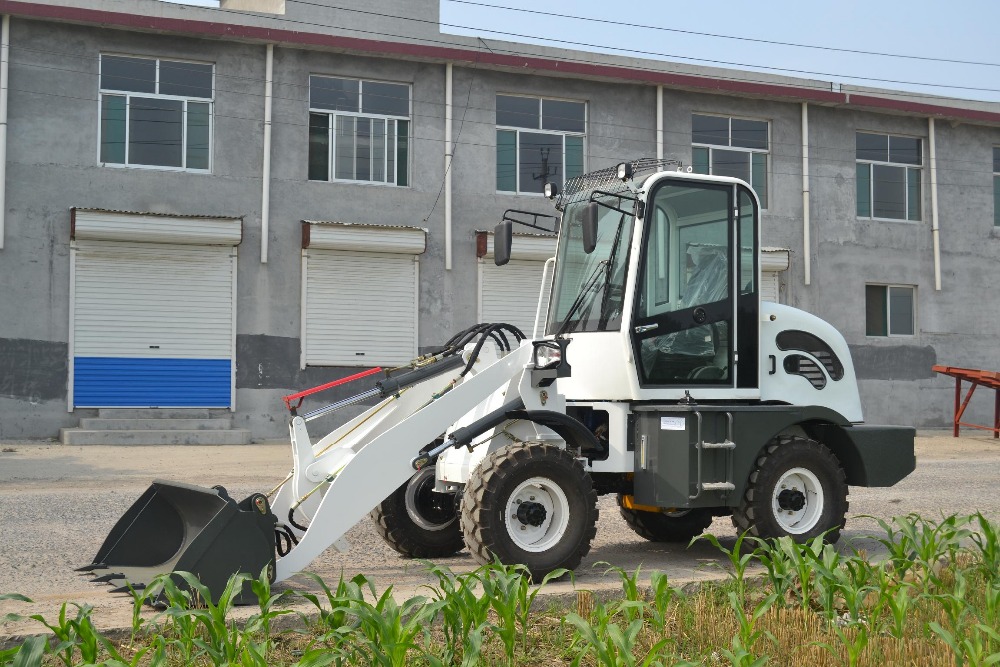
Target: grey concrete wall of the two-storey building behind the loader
(52, 166)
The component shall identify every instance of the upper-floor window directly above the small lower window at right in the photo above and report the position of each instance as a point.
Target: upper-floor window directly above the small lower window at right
(888, 176)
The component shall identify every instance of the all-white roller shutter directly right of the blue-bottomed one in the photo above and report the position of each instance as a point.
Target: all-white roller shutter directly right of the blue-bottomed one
(360, 308)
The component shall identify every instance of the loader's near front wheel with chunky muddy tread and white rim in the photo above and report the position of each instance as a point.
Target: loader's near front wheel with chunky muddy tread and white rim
(530, 504)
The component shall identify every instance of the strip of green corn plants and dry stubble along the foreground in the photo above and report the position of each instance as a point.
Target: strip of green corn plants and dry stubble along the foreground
(934, 601)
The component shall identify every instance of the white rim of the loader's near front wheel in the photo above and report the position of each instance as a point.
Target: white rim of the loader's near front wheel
(547, 534)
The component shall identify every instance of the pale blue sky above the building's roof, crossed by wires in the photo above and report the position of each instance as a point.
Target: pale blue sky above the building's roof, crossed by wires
(929, 33)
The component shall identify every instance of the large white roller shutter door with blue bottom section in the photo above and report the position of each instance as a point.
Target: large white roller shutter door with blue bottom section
(152, 325)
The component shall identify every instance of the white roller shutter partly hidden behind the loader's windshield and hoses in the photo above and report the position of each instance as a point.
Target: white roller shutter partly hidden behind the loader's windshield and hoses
(510, 293)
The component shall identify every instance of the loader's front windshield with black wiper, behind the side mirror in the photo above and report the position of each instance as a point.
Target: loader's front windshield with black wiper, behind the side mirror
(588, 290)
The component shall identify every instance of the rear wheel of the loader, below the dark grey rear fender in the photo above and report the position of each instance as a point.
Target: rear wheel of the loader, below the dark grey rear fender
(797, 489)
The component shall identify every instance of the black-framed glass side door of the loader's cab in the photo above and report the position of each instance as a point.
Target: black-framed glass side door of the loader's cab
(683, 325)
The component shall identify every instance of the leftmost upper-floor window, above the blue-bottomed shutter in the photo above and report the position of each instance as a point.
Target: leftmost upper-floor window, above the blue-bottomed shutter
(156, 113)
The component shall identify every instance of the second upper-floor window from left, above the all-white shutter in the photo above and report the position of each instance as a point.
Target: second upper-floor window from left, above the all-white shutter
(359, 130)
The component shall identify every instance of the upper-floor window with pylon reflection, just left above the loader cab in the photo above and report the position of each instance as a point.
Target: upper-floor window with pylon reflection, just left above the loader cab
(539, 141)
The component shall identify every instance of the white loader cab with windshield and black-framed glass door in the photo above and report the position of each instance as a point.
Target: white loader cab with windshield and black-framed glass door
(670, 289)
